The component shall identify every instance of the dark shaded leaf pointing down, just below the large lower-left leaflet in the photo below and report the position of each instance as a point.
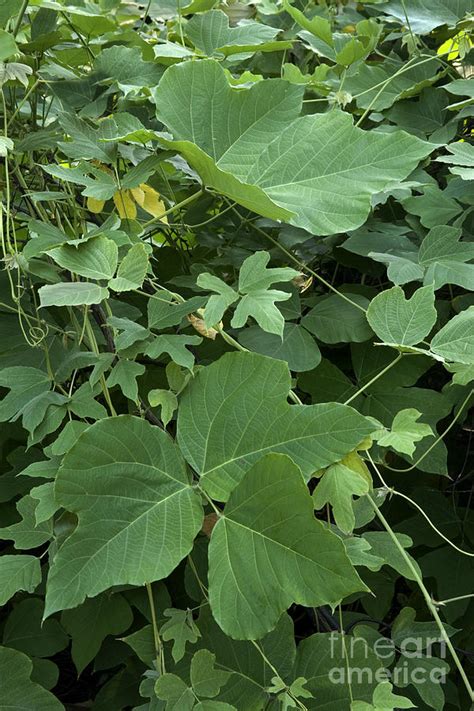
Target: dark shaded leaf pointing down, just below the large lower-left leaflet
(92, 622)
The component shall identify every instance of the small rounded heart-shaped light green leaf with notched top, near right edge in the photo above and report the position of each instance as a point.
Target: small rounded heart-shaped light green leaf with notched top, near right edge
(400, 321)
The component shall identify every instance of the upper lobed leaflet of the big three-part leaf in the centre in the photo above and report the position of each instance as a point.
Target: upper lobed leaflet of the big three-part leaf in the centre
(236, 410)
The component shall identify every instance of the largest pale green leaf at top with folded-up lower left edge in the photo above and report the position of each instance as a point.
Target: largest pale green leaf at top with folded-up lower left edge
(318, 172)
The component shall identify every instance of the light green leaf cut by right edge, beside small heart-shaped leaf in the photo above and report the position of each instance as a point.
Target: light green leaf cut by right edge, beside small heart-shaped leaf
(455, 341)
